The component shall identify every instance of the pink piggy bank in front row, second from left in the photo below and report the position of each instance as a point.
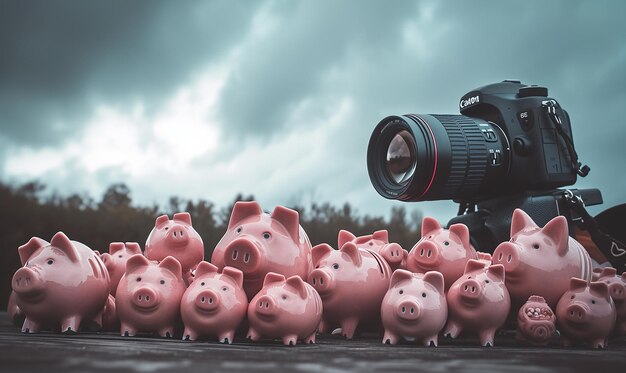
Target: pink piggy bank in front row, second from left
(148, 296)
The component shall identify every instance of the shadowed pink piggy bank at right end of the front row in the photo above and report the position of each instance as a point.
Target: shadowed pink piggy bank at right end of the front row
(586, 313)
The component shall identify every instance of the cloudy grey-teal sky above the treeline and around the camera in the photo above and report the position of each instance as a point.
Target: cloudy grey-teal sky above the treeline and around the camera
(204, 99)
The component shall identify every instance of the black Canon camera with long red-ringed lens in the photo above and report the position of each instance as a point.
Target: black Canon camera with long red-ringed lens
(511, 147)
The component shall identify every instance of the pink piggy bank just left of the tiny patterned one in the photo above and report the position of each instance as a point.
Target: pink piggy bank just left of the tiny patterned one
(478, 302)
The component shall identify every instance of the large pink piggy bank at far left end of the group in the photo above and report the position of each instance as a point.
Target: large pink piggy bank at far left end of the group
(61, 284)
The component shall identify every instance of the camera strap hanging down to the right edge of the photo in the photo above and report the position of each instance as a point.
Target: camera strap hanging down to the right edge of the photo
(611, 248)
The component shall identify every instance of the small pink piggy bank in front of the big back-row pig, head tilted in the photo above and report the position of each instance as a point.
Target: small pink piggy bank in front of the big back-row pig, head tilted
(288, 309)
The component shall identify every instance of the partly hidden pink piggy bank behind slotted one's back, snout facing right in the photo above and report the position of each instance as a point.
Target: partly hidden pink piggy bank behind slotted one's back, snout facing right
(378, 241)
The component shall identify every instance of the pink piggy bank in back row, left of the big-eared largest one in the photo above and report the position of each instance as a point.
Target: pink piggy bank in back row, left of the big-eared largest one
(175, 238)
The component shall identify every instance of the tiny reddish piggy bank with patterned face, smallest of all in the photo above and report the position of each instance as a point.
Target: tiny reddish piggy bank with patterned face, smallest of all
(536, 322)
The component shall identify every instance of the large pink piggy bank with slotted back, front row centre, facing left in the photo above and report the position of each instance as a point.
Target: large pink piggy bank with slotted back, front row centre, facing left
(352, 283)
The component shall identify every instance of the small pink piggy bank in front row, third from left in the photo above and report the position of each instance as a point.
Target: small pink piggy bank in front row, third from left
(214, 304)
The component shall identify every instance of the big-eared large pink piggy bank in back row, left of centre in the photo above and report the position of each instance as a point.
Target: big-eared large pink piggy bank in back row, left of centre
(258, 243)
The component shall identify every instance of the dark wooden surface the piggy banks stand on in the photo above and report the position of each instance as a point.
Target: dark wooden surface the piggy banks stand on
(107, 352)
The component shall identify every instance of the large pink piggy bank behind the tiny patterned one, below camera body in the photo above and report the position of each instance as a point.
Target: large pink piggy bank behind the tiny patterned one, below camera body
(540, 261)
